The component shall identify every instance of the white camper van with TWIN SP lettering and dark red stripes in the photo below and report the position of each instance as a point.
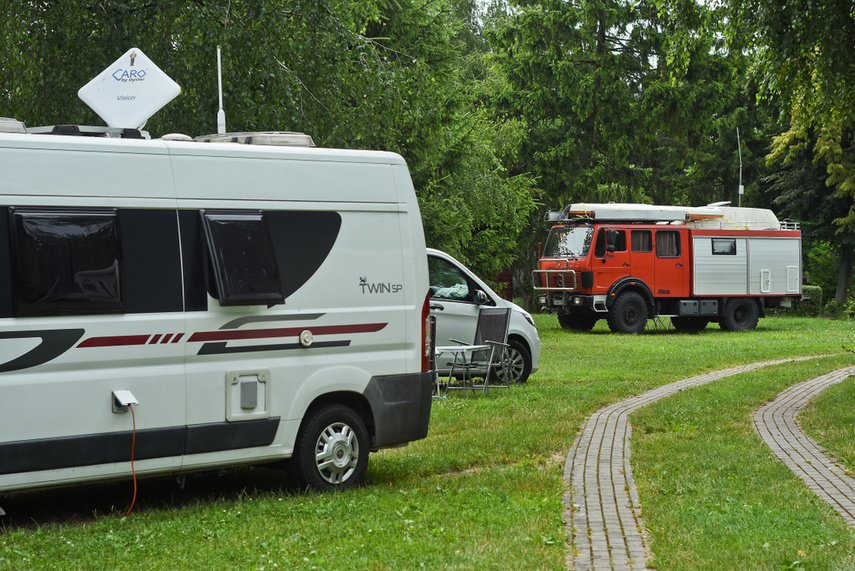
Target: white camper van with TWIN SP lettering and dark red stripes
(246, 302)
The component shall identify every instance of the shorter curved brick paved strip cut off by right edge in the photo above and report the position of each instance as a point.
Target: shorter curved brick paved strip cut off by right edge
(775, 422)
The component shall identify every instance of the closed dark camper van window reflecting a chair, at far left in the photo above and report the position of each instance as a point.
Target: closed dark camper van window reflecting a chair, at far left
(65, 261)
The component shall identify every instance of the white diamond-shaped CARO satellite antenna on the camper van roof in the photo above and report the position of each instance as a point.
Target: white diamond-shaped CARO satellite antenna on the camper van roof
(129, 91)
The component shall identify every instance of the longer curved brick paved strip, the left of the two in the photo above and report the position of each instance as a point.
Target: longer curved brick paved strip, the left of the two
(601, 508)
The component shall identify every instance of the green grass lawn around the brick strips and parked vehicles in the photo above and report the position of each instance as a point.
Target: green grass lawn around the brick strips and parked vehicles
(483, 491)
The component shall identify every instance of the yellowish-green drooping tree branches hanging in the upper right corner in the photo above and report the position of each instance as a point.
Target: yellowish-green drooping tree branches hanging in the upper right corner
(806, 62)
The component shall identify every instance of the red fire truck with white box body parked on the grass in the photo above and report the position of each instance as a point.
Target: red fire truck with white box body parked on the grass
(628, 263)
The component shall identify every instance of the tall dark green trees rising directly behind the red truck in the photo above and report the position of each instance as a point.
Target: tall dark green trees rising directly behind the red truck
(607, 118)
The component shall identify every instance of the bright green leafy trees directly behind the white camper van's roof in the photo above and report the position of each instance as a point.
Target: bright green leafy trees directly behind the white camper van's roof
(380, 74)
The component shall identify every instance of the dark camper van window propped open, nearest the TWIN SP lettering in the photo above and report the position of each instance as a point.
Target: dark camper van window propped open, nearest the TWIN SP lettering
(242, 259)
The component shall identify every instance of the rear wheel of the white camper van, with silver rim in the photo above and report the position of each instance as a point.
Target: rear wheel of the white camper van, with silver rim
(331, 452)
